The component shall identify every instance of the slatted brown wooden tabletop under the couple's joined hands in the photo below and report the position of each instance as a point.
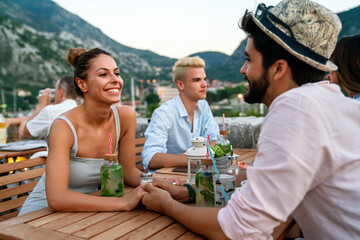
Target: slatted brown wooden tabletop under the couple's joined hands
(139, 223)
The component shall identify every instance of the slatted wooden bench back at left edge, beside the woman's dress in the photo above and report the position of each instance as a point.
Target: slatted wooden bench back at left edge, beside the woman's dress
(16, 186)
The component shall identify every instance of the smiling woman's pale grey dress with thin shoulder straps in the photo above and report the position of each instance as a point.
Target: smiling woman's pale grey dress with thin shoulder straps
(84, 172)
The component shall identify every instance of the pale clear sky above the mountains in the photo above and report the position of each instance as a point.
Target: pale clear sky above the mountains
(175, 28)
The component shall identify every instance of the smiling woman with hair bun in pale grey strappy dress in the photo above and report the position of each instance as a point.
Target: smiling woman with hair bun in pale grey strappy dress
(79, 139)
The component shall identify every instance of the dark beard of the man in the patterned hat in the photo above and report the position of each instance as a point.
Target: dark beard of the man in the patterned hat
(257, 89)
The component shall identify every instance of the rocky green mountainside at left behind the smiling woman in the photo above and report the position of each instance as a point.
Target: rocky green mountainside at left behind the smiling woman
(35, 37)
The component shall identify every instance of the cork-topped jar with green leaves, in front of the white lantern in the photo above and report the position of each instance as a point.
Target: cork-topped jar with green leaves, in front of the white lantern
(204, 184)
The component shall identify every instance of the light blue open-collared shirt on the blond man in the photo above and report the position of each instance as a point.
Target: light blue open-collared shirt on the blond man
(169, 130)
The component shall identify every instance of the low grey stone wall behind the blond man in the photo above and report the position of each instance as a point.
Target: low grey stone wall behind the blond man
(243, 131)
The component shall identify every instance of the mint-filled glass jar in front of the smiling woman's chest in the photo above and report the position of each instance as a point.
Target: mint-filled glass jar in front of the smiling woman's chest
(111, 177)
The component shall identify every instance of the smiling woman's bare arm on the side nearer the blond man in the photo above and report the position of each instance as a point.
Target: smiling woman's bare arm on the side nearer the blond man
(127, 145)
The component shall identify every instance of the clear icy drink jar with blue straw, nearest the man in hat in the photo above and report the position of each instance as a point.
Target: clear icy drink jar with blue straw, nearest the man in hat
(226, 179)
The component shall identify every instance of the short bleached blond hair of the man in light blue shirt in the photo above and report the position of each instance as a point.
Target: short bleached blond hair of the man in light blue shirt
(182, 65)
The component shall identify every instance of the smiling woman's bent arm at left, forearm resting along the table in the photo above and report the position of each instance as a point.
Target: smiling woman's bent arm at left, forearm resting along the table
(59, 197)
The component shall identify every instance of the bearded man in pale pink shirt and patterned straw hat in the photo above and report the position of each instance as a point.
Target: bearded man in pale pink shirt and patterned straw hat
(308, 159)
